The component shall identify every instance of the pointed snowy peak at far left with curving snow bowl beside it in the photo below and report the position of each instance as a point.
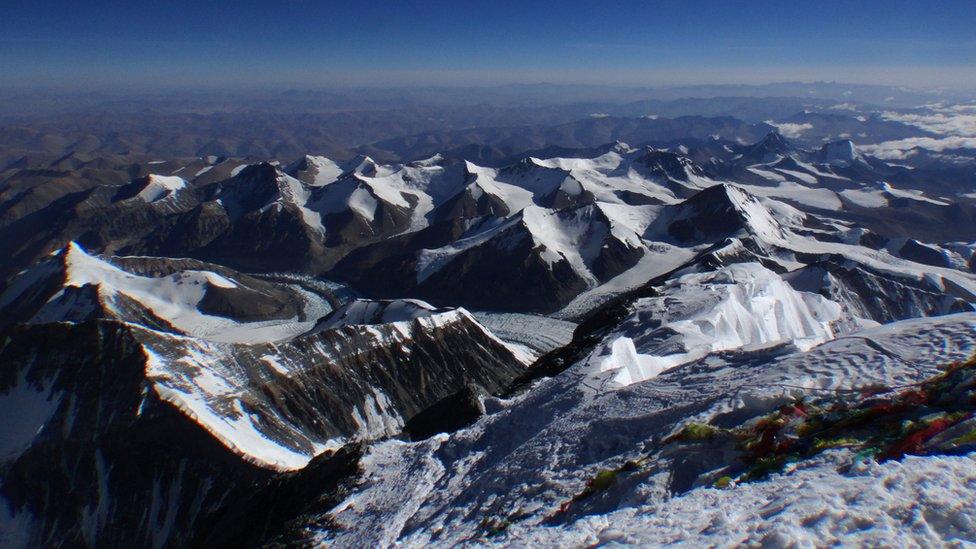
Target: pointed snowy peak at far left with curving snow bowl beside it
(172, 295)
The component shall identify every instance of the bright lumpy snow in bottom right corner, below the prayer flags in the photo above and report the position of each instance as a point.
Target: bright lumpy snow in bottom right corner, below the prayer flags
(920, 501)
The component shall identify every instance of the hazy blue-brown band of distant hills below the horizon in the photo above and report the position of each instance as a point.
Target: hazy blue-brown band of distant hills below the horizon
(486, 125)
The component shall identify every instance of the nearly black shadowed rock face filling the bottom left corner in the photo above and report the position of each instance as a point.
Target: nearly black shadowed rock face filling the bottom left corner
(107, 449)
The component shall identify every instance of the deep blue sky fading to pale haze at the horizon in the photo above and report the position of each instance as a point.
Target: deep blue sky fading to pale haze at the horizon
(249, 43)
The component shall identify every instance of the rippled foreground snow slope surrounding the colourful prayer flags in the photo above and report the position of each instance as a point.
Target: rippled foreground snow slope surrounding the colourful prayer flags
(518, 465)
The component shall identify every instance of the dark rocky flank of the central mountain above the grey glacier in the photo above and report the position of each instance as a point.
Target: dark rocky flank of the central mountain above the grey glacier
(511, 269)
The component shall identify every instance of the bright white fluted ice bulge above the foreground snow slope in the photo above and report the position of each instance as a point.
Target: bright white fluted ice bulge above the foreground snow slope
(742, 305)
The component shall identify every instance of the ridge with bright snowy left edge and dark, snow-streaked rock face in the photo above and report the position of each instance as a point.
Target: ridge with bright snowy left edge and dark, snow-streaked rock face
(354, 369)
